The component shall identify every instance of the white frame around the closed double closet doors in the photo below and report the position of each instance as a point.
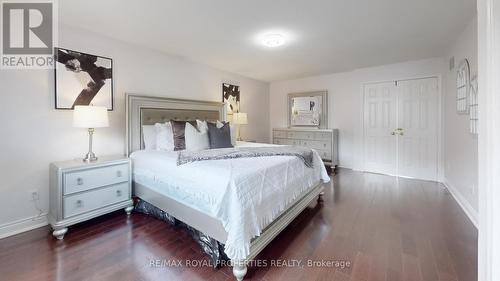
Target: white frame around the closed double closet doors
(440, 120)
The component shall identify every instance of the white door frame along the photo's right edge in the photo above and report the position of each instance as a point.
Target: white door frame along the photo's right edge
(488, 139)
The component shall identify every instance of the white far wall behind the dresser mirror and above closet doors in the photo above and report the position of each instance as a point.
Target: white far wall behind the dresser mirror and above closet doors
(345, 99)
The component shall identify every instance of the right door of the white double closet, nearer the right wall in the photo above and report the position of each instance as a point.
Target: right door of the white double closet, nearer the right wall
(418, 118)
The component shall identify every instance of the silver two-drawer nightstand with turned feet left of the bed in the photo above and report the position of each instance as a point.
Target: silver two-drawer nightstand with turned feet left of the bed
(80, 191)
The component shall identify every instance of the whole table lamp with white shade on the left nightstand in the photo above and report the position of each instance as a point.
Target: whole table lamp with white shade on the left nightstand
(90, 117)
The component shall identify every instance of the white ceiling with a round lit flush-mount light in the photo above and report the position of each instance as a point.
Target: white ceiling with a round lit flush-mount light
(324, 36)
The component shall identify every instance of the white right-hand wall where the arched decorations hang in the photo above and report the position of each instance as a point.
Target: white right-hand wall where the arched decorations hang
(461, 148)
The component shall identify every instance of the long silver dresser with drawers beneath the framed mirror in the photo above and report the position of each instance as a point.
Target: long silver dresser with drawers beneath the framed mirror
(325, 141)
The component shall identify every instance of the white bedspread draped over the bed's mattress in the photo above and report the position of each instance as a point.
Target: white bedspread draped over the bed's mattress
(245, 194)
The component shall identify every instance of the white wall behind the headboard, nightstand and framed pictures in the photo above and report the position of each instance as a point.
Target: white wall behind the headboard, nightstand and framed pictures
(33, 134)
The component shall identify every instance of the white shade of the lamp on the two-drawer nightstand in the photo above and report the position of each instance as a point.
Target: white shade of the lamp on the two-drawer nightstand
(90, 117)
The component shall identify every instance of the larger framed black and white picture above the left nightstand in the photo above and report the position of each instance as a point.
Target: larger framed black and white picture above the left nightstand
(82, 79)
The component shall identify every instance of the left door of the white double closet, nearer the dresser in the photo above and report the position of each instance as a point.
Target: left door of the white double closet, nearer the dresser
(380, 119)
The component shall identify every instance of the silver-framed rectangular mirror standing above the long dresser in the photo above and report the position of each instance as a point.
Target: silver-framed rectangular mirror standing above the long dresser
(308, 109)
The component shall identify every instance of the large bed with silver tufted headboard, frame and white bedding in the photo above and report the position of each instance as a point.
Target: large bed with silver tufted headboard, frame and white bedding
(242, 203)
